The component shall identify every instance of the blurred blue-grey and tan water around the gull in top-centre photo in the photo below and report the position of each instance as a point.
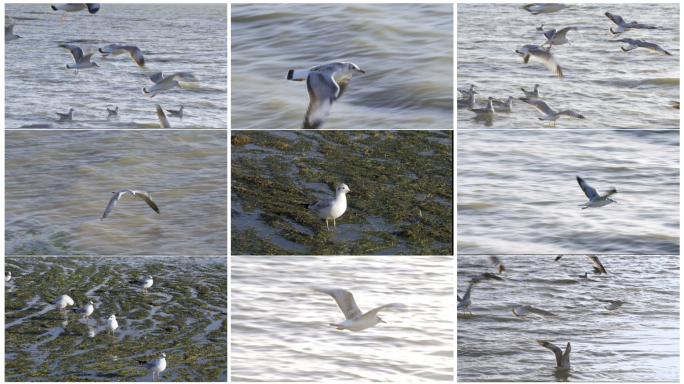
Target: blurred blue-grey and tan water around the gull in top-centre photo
(405, 49)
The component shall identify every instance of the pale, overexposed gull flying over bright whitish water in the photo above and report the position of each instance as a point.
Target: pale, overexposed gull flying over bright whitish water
(355, 320)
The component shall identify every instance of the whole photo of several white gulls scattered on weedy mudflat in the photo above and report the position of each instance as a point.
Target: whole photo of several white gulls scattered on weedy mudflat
(76, 318)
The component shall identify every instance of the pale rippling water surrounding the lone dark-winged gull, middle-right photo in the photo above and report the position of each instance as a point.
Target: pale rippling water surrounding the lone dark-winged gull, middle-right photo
(517, 191)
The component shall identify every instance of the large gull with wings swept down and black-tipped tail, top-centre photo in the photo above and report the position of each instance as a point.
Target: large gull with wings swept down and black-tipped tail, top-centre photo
(323, 88)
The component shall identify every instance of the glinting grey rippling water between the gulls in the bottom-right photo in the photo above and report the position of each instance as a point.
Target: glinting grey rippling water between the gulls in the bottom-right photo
(635, 343)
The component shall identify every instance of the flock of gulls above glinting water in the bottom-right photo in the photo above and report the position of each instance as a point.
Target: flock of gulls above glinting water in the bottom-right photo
(521, 311)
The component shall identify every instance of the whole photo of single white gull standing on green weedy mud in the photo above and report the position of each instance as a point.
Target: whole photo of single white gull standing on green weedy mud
(342, 192)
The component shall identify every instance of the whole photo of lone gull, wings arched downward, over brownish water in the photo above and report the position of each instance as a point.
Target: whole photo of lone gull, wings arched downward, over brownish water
(116, 192)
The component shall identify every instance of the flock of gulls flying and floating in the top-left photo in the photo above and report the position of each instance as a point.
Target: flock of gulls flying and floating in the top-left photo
(83, 61)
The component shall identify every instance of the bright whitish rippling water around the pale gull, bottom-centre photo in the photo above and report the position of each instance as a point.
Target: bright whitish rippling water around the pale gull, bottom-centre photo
(280, 331)
